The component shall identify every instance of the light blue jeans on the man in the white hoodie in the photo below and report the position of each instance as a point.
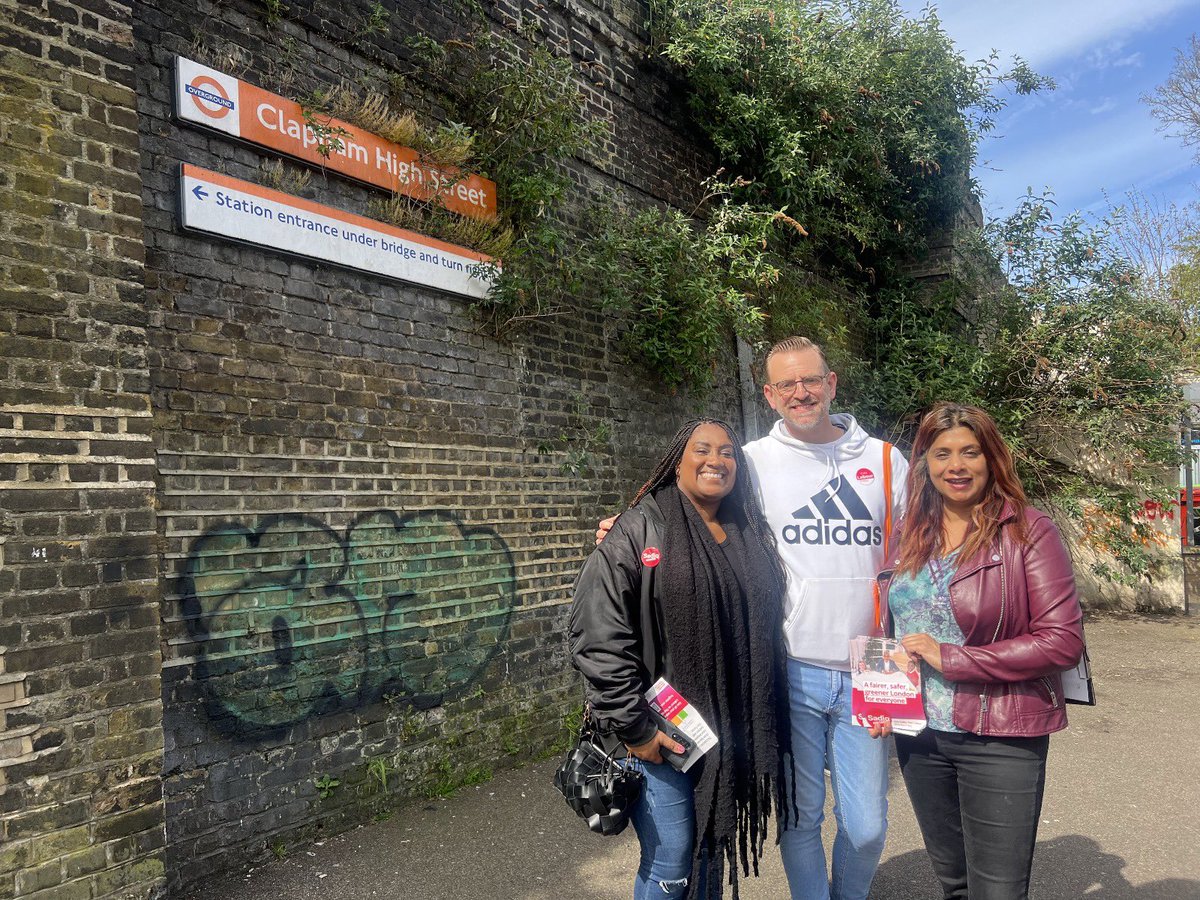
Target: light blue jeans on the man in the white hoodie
(824, 737)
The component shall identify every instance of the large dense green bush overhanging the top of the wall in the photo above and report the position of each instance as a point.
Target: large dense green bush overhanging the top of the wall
(856, 122)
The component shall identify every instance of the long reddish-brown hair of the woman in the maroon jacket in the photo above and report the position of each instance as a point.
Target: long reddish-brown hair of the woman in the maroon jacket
(922, 536)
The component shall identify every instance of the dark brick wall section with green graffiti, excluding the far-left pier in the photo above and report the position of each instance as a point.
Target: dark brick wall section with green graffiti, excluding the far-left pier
(371, 514)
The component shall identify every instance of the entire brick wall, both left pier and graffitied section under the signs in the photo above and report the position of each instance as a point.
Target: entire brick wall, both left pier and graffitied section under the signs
(281, 544)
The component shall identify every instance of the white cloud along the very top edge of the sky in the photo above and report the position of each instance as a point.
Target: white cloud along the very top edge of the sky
(1046, 32)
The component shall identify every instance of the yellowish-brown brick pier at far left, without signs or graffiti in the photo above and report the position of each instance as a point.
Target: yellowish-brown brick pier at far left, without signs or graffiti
(81, 737)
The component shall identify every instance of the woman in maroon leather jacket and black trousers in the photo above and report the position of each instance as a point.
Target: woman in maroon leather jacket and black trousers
(980, 589)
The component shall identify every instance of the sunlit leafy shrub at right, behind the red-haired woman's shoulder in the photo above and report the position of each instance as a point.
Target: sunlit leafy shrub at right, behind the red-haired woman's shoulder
(1087, 359)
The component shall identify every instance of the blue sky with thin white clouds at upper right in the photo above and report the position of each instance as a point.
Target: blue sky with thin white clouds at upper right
(1093, 134)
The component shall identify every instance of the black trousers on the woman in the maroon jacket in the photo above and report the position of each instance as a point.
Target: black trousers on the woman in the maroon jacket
(977, 802)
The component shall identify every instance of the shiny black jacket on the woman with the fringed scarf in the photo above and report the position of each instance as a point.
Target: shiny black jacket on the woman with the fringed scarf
(616, 627)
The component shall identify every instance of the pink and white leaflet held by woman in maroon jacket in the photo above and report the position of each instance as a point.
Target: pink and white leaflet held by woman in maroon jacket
(886, 686)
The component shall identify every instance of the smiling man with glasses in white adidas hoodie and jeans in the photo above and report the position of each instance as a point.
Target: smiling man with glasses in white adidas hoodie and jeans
(820, 482)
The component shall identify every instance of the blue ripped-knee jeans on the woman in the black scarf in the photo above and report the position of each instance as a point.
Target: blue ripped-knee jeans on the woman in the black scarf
(664, 819)
